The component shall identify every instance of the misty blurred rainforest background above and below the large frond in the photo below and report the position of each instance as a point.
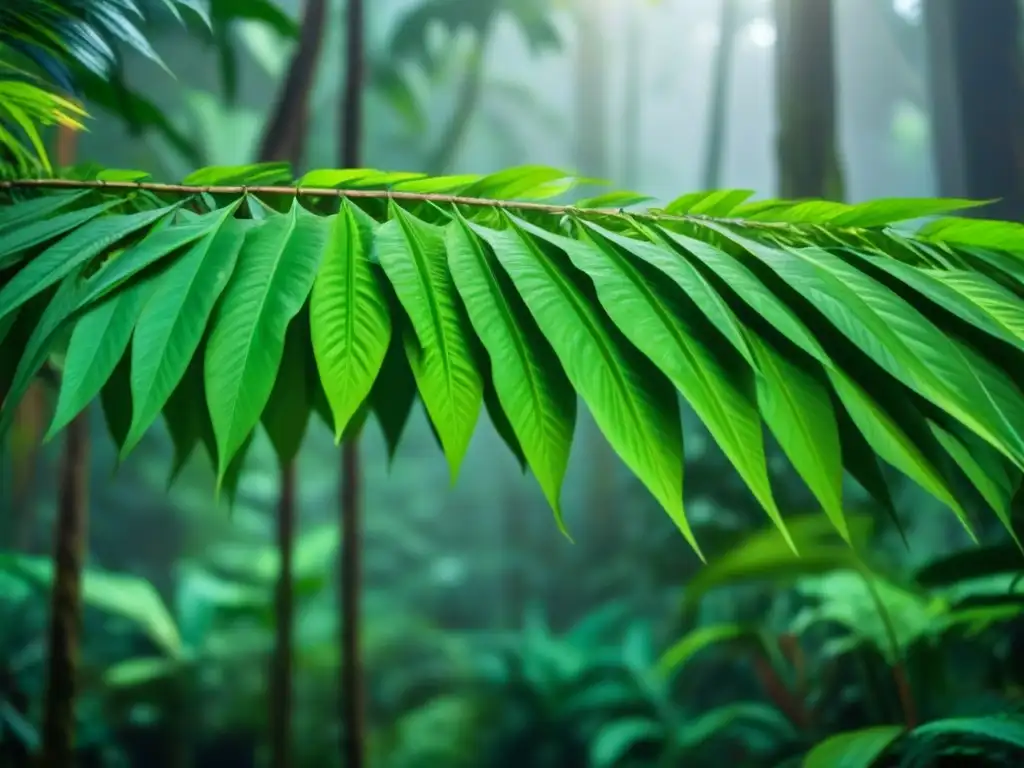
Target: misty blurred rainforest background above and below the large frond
(489, 638)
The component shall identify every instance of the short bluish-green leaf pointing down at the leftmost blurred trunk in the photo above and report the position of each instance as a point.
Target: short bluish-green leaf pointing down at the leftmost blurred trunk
(100, 339)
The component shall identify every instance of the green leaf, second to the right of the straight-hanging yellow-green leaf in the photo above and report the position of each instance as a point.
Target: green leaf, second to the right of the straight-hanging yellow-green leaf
(533, 391)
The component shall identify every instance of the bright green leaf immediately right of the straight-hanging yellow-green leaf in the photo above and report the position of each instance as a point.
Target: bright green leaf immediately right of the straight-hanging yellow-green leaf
(413, 255)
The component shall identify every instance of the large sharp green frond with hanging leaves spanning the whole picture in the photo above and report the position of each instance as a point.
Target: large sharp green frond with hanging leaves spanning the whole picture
(856, 343)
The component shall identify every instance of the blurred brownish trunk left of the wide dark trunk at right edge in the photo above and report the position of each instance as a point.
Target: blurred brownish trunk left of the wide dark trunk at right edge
(805, 82)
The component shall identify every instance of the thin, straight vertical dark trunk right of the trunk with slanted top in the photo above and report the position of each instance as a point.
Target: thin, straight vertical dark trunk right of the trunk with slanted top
(352, 686)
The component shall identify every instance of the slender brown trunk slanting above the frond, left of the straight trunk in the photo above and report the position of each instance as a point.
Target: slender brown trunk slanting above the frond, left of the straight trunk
(285, 140)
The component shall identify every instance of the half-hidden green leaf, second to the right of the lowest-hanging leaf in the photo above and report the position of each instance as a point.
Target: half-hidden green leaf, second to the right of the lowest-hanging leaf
(797, 408)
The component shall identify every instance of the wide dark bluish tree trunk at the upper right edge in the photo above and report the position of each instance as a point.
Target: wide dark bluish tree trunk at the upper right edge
(977, 97)
